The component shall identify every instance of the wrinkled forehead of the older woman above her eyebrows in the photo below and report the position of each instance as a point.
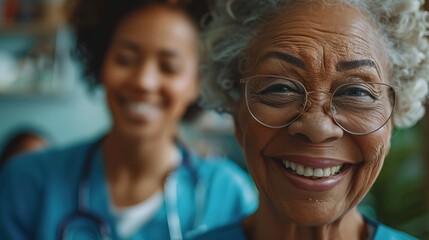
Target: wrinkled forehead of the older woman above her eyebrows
(319, 34)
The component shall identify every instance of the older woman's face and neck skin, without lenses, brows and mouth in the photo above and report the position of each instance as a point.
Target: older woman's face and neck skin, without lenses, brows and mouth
(320, 36)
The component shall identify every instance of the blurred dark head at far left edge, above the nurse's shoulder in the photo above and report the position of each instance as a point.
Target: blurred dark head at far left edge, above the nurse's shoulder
(22, 140)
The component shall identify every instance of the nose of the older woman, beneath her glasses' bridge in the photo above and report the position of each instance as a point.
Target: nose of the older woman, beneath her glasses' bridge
(315, 124)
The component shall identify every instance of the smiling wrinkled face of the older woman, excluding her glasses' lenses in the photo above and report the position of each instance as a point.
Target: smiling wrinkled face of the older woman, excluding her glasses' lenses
(321, 47)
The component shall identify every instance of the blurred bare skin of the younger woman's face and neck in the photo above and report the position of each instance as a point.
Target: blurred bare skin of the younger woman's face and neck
(150, 77)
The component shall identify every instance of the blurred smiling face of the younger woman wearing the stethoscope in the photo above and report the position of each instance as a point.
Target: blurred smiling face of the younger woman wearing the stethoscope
(150, 71)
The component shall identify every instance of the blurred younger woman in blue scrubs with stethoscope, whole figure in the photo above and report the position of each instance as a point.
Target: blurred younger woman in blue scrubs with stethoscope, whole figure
(138, 181)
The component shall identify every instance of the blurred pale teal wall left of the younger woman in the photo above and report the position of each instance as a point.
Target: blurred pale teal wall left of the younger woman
(68, 113)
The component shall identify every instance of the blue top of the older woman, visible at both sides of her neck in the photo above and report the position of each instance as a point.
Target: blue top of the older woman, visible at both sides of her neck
(233, 231)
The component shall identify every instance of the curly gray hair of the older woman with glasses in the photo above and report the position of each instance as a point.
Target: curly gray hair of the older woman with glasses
(402, 23)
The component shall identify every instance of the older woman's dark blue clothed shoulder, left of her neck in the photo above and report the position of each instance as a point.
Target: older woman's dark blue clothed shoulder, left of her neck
(231, 231)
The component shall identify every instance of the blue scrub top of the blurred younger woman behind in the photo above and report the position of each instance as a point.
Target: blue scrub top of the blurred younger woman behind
(38, 190)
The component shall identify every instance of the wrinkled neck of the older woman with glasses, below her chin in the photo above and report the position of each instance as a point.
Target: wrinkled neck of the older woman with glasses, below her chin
(263, 224)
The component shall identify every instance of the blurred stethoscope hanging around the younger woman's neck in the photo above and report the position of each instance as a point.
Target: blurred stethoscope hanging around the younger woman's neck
(100, 229)
